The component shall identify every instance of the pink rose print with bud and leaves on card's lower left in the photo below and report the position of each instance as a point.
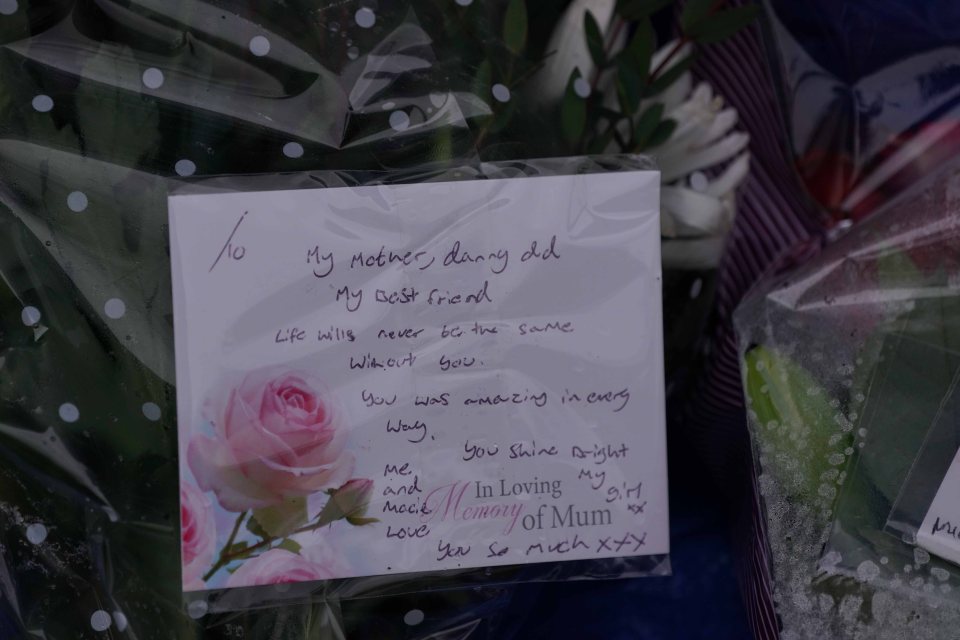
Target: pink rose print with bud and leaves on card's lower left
(272, 439)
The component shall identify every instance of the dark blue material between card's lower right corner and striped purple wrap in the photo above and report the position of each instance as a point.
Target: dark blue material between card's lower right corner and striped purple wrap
(700, 601)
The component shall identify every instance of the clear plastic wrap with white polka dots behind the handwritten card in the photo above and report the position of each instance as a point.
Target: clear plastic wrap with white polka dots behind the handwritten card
(102, 105)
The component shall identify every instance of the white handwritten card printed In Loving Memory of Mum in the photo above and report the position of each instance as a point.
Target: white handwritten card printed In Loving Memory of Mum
(408, 378)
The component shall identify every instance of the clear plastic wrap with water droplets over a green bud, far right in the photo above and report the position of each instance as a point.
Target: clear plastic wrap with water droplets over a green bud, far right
(847, 361)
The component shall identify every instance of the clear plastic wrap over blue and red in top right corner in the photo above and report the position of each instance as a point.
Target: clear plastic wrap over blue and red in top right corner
(872, 95)
